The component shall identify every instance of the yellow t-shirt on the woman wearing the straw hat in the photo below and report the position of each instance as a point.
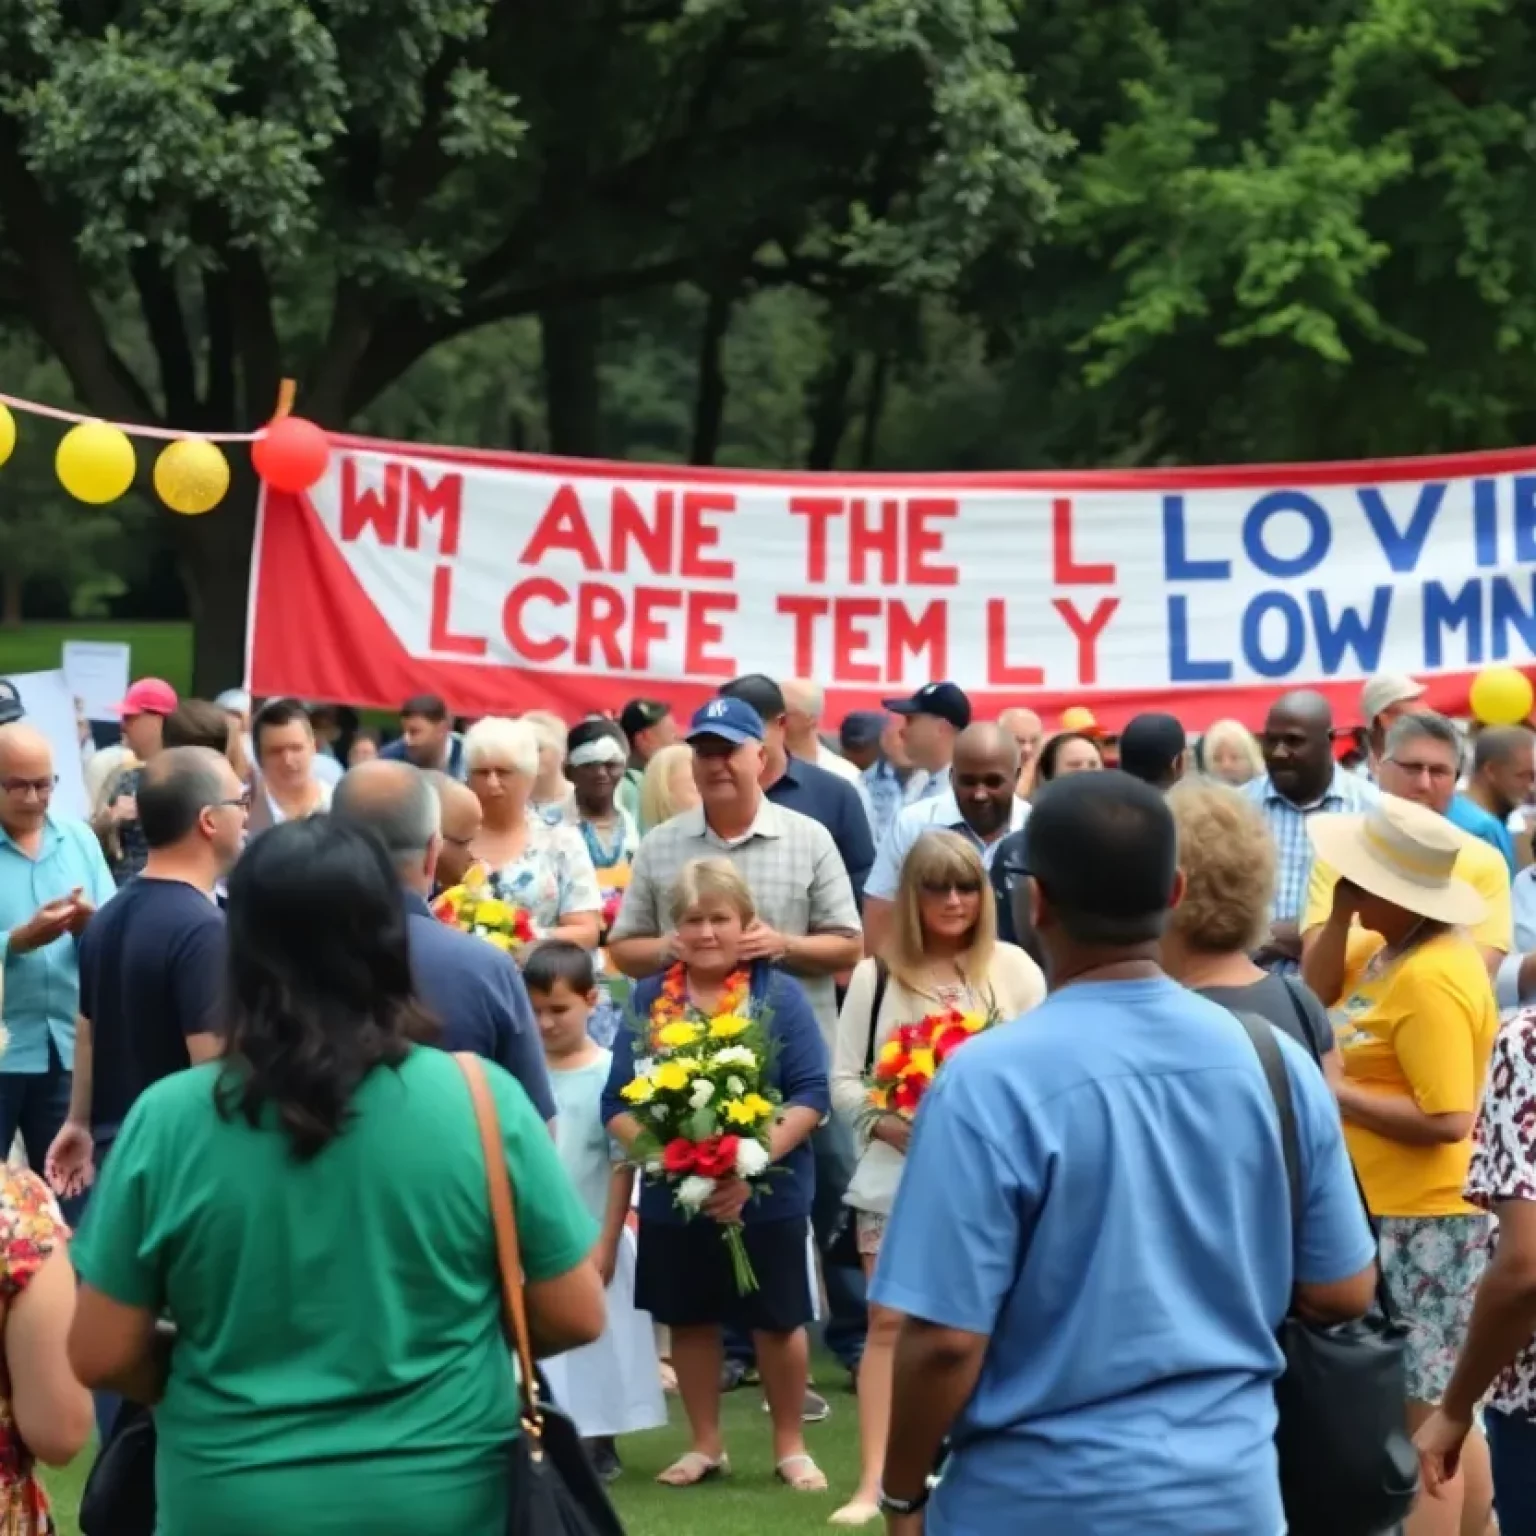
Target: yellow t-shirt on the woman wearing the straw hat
(1422, 1030)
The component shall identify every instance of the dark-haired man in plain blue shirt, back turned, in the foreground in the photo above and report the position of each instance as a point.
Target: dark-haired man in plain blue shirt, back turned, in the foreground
(1093, 1242)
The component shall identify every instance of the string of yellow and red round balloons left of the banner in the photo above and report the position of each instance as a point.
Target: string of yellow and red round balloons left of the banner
(98, 463)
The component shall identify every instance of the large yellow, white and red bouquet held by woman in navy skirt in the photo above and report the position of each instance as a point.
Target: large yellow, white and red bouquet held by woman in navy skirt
(703, 1097)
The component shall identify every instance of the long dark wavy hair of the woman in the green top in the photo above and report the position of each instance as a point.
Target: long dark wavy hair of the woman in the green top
(320, 987)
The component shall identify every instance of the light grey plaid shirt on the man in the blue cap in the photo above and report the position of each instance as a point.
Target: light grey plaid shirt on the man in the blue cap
(790, 862)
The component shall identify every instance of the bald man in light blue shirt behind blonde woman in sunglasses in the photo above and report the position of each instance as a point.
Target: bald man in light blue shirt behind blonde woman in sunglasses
(981, 806)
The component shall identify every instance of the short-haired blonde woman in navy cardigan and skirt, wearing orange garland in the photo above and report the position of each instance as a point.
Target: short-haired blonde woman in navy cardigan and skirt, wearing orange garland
(683, 1273)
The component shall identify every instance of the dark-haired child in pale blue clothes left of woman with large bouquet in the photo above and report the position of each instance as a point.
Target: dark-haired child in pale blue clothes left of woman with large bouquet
(614, 1386)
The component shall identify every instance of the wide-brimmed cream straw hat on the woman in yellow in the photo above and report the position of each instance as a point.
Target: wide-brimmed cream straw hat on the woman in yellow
(1403, 853)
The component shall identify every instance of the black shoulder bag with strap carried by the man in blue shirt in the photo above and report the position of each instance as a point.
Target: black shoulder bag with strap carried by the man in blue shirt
(1348, 1466)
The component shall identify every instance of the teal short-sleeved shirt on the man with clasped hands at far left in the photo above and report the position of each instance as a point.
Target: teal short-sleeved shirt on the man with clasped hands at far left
(42, 988)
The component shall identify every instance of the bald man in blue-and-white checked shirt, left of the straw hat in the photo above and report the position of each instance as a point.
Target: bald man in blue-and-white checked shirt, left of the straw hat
(1302, 781)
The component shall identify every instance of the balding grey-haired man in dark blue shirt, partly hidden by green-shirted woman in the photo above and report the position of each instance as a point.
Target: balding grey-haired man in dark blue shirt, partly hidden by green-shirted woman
(475, 990)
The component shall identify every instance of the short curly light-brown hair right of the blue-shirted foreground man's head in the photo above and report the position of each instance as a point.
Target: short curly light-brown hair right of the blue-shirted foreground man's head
(1228, 856)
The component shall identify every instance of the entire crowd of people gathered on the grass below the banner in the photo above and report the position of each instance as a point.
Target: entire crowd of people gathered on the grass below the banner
(251, 1191)
